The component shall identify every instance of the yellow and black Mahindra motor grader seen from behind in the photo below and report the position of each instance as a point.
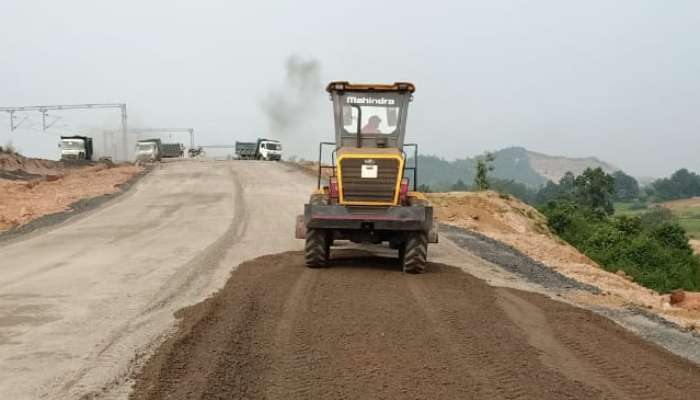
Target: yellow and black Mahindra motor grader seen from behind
(365, 196)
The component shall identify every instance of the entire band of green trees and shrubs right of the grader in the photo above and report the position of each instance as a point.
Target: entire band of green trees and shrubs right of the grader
(651, 247)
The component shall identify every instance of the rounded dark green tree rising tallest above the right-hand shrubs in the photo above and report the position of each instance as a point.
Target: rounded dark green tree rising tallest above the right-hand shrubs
(594, 189)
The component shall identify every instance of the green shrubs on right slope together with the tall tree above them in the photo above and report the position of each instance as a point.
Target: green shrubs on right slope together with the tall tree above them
(652, 248)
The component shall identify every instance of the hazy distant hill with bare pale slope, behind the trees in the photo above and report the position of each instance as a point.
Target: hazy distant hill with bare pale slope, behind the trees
(513, 163)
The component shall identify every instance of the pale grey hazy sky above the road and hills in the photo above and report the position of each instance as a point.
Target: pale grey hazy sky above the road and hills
(619, 80)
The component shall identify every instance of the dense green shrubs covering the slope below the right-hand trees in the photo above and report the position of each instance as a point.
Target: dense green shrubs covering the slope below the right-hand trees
(652, 248)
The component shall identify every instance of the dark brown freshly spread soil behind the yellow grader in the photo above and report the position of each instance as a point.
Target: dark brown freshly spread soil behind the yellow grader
(362, 329)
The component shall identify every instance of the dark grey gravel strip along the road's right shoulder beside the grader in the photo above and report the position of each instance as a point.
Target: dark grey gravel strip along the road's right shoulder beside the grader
(511, 259)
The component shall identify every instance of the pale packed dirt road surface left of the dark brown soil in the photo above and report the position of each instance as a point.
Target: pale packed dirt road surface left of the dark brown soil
(79, 301)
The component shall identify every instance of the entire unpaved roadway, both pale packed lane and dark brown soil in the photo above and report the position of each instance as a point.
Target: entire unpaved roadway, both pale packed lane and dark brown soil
(190, 285)
